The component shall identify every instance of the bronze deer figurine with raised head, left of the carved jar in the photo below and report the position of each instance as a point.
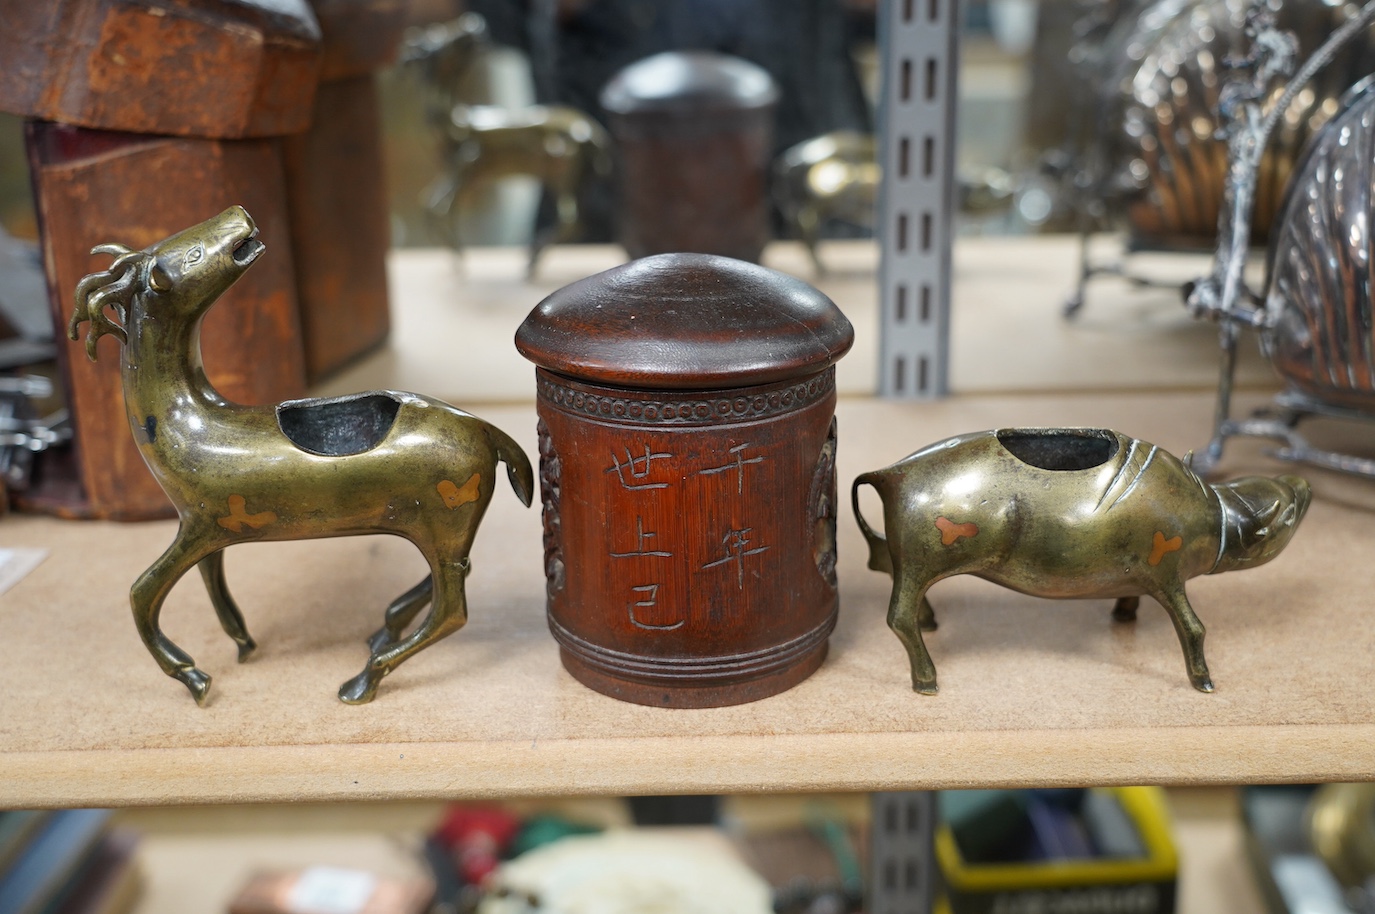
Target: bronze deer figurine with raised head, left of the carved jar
(377, 462)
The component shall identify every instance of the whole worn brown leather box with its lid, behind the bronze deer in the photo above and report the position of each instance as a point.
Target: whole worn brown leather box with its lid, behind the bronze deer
(145, 115)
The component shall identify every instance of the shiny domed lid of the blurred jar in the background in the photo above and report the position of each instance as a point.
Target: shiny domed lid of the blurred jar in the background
(690, 83)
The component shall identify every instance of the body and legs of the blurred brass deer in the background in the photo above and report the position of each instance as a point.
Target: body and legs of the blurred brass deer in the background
(562, 148)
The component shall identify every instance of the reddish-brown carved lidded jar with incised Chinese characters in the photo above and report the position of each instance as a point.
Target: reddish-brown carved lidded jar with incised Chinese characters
(688, 478)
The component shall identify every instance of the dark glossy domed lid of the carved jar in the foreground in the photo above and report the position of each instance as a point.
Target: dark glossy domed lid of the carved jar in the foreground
(685, 322)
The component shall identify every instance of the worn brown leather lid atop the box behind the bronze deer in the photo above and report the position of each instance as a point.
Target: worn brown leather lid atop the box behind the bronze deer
(223, 69)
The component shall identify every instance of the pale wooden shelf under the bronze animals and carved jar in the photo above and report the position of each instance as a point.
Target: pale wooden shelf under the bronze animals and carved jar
(1033, 692)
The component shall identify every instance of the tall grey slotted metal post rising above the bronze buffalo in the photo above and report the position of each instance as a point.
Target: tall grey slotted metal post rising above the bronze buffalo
(919, 45)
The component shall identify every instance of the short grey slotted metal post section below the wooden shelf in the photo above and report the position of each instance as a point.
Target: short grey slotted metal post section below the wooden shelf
(901, 857)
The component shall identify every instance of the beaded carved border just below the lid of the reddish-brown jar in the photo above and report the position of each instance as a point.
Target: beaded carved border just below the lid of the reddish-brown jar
(687, 408)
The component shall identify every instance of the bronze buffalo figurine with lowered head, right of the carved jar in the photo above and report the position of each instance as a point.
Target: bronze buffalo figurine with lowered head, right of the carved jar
(1068, 513)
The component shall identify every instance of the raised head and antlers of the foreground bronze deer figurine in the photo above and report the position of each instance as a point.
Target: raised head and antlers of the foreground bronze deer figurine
(181, 277)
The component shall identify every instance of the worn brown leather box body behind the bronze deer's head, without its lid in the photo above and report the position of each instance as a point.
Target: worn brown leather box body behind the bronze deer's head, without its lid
(96, 188)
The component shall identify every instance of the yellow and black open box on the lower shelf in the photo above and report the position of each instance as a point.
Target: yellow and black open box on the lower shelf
(1105, 886)
